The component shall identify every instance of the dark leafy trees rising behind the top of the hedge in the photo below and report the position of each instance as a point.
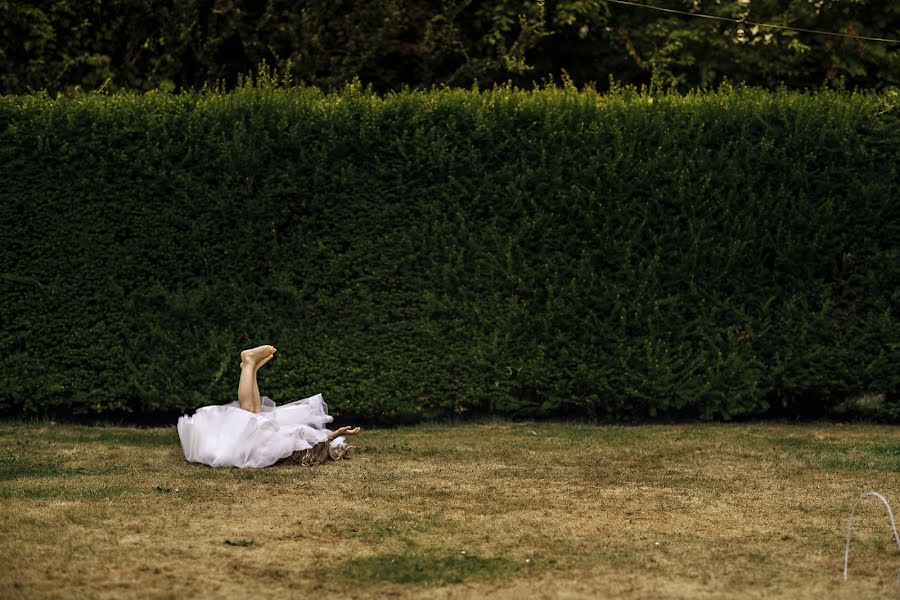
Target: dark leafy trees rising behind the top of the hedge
(147, 44)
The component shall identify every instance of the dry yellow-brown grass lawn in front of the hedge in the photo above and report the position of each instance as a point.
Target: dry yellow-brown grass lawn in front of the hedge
(509, 510)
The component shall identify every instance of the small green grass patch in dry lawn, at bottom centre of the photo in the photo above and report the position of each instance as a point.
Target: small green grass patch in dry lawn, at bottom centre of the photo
(426, 566)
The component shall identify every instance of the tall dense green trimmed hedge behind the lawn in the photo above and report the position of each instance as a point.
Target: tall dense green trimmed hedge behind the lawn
(427, 254)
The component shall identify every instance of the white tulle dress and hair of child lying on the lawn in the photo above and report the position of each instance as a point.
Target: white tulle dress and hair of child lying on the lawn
(228, 436)
